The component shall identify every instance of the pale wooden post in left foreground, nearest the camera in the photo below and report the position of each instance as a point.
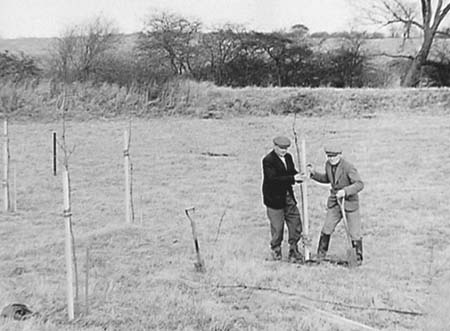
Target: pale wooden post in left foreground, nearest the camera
(68, 242)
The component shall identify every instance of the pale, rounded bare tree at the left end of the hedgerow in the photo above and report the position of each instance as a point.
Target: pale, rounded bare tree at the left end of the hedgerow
(76, 54)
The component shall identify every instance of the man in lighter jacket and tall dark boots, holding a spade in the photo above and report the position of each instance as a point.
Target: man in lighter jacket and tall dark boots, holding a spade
(345, 184)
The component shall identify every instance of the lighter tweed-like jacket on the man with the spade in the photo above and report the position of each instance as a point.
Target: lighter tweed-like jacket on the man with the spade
(346, 178)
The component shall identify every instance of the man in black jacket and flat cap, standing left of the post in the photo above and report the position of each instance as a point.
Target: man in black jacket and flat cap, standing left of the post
(279, 176)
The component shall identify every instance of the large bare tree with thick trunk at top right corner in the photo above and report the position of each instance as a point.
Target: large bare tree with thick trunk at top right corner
(404, 13)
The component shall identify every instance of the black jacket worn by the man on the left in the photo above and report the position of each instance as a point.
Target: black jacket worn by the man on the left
(277, 180)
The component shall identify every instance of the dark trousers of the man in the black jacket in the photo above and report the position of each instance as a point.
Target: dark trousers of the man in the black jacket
(291, 216)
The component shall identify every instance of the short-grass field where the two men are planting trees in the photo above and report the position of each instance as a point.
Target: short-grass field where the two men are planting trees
(142, 275)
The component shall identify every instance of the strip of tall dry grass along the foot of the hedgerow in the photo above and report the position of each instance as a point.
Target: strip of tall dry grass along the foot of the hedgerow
(37, 100)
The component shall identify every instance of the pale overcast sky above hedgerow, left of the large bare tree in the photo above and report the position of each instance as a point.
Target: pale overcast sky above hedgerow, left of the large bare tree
(48, 18)
